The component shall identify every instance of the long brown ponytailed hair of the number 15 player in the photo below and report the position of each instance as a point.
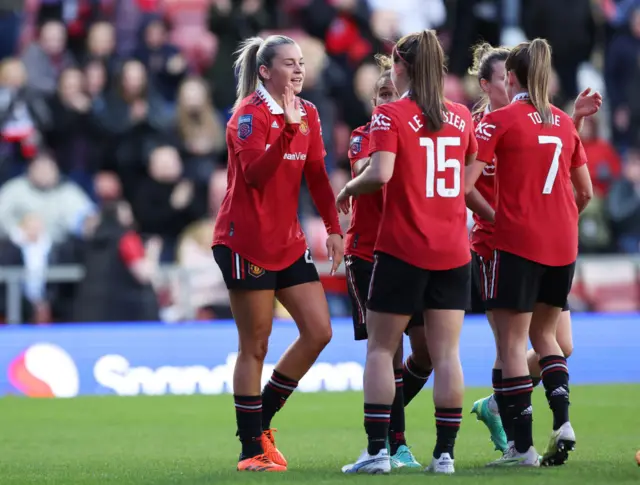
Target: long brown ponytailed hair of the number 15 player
(423, 57)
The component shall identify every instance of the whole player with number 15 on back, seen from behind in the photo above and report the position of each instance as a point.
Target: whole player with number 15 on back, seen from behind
(419, 145)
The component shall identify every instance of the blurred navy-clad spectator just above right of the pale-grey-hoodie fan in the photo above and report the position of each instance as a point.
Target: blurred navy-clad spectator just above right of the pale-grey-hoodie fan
(72, 133)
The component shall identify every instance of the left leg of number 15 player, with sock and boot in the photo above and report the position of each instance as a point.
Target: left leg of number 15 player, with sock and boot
(385, 335)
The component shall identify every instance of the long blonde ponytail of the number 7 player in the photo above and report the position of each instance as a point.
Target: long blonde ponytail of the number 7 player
(538, 78)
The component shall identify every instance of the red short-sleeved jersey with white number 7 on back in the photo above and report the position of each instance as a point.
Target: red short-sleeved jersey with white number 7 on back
(536, 213)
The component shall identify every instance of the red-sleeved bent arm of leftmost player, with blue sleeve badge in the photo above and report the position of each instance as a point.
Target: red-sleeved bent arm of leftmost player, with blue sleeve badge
(258, 165)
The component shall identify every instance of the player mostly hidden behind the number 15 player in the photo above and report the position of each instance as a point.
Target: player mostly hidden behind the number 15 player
(359, 243)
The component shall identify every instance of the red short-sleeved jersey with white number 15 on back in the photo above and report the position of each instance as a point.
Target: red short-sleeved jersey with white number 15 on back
(424, 216)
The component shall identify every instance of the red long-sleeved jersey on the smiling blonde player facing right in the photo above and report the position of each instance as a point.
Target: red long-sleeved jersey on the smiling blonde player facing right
(258, 218)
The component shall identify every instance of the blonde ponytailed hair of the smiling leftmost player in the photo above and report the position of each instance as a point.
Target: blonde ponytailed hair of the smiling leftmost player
(253, 53)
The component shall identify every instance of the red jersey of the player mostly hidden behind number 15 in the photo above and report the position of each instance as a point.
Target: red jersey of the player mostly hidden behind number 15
(367, 209)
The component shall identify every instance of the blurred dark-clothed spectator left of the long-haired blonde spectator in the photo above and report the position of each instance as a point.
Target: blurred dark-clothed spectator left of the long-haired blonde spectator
(133, 117)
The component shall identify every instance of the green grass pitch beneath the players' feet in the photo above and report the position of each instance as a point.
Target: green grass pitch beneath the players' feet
(189, 440)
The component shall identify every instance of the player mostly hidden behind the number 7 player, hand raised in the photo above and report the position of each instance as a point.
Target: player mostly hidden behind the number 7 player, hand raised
(489, 67)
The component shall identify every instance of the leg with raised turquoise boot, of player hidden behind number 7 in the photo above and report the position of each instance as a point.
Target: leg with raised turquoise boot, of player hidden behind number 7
(488, 409)
